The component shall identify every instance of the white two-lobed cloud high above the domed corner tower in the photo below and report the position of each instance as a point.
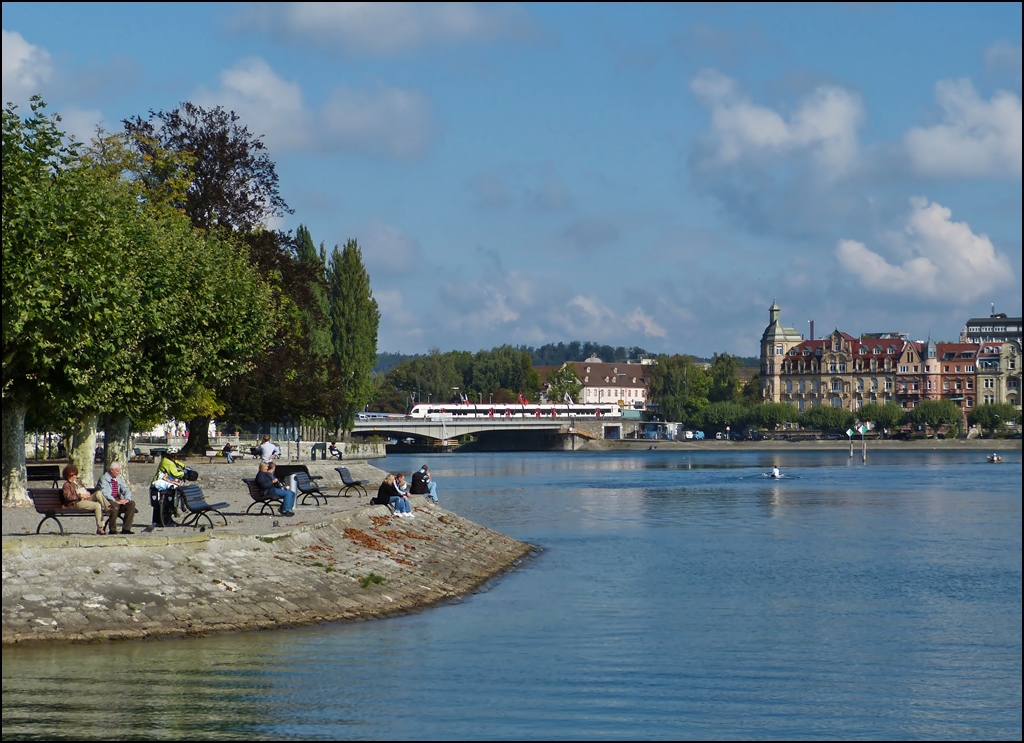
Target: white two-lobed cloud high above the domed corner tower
(824, 126)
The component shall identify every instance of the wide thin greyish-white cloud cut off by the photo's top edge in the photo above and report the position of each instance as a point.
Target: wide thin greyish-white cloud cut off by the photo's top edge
(380, 29)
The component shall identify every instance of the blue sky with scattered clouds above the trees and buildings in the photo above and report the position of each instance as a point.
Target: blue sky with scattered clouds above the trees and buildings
(637, 176)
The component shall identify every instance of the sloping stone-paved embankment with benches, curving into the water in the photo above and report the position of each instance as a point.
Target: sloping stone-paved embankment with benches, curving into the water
(350, 561)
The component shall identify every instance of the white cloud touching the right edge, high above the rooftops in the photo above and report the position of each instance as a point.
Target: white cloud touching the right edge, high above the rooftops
(976, 138)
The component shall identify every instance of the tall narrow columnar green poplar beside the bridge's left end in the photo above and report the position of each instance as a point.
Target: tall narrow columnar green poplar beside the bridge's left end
(355, 320)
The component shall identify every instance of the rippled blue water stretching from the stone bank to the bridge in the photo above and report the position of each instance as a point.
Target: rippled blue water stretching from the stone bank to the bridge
(676, 595)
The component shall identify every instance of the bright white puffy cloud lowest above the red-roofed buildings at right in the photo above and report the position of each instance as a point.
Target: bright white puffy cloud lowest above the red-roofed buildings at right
(942, 259)
